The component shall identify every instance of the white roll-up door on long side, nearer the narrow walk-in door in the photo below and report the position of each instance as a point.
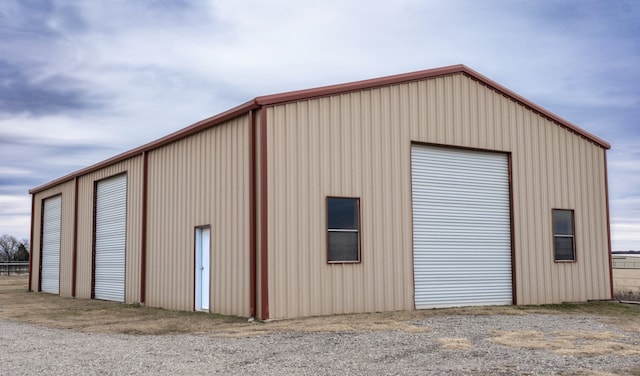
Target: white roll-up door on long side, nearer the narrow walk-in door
(110, 235)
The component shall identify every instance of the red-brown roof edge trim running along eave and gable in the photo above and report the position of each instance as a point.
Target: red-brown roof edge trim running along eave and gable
(326, 91)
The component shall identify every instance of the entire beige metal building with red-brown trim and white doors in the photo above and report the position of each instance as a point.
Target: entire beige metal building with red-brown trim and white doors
(435, 188)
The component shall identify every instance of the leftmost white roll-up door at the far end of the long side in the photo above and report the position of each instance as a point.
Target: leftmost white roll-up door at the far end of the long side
(51, 230)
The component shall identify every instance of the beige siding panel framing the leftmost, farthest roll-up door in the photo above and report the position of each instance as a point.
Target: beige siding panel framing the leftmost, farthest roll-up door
(67, 191)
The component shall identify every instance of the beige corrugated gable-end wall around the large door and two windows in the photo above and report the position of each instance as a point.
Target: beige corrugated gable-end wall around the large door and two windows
(358, 144)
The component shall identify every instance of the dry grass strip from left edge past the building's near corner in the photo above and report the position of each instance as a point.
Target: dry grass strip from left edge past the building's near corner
(17, 304)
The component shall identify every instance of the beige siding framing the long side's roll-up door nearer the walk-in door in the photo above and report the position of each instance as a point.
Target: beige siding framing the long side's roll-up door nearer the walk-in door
(133, 168)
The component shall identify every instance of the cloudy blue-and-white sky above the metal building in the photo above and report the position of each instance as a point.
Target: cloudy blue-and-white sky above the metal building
(81, 81)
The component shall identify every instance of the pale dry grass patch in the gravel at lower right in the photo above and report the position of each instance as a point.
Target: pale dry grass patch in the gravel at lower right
(567, 343)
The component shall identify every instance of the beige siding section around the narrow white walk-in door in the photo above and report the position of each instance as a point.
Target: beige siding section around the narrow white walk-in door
(200, 180)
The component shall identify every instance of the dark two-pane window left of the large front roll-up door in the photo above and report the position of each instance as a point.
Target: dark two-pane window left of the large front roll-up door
(343, 226)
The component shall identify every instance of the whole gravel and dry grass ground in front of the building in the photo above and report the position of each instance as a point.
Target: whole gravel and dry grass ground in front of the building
(596, 339)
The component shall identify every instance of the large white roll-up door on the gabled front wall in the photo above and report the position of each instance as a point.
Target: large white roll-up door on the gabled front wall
(461, 227)
